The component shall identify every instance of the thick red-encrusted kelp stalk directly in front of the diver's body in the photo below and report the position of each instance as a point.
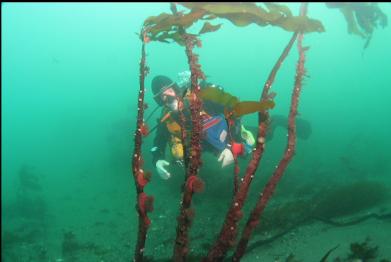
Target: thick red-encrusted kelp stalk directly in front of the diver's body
(192, 182)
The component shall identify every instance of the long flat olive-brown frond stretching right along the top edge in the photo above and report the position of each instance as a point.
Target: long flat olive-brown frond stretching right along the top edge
(244, 14)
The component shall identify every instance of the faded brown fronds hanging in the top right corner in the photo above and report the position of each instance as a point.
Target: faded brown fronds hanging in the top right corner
(361, 18)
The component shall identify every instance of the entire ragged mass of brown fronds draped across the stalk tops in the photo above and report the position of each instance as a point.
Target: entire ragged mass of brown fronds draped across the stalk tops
(165, 27)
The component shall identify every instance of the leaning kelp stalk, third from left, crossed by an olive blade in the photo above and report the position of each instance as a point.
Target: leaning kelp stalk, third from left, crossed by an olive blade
(228, 233)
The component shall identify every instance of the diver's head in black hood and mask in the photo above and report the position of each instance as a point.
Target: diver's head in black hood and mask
(165, 92)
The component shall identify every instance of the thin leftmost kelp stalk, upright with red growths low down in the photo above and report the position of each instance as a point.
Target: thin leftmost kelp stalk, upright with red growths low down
(144, 202)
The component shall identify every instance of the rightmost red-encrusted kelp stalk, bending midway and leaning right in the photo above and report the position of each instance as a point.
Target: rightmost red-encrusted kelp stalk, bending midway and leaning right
(288, 154)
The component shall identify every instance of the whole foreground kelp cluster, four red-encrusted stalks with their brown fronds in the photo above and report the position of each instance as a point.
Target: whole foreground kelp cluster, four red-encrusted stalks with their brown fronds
(172, 28)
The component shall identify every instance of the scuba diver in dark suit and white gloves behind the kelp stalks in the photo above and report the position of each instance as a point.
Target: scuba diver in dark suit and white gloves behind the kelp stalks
(226, 139)
